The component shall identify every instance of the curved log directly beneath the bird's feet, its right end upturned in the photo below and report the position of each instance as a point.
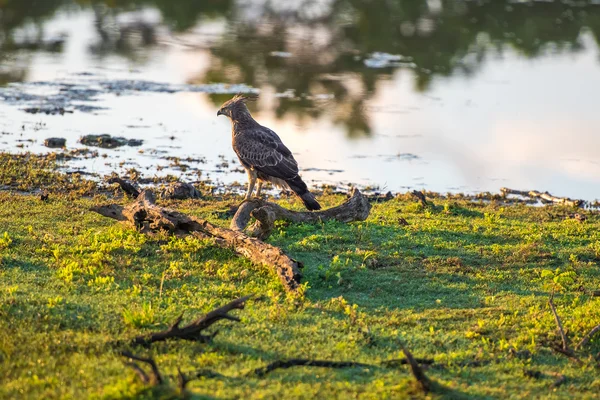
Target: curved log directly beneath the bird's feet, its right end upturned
(355, 208)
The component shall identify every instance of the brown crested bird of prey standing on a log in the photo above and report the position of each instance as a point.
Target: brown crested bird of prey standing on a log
(263, 154)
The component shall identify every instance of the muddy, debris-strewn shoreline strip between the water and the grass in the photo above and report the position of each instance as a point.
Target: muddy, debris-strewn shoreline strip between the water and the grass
(56, 162)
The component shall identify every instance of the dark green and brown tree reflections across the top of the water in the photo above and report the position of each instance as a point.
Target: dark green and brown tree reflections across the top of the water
(326, 42)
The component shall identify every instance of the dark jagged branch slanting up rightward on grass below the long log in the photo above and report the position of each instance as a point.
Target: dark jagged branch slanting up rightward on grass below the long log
(193, 331)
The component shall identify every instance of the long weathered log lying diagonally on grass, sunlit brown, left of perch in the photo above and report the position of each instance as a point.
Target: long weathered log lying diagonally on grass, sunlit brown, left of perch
(147, 216)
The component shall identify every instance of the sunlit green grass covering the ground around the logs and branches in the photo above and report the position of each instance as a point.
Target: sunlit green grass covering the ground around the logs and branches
(464, 282)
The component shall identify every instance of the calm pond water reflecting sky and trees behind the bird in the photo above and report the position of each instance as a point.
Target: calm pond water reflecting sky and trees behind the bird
(442, 95)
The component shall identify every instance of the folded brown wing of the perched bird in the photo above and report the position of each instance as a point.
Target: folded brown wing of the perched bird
(263, 150)
